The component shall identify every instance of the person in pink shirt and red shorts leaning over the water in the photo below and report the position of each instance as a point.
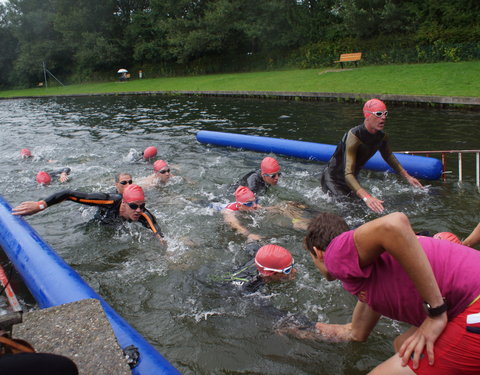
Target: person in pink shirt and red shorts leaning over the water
(429, 283)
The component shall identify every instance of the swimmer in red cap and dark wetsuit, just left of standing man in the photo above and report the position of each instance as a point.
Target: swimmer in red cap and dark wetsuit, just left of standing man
(259, 180)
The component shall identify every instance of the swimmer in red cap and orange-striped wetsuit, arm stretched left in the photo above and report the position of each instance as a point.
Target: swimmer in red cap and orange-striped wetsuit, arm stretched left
(113, 208)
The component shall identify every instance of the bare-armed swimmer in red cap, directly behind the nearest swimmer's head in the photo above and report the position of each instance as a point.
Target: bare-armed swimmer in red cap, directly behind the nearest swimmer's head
(245, 201)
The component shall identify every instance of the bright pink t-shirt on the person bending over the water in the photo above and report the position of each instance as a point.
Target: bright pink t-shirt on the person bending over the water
(388, 290)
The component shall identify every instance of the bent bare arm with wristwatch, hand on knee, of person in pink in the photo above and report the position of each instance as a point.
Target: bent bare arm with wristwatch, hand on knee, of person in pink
(393, 234)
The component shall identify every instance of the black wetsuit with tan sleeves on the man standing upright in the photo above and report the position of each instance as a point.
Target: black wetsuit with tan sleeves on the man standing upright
(355, 149)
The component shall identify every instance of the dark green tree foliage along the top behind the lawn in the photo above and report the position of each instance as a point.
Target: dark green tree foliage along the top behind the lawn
(82, 39)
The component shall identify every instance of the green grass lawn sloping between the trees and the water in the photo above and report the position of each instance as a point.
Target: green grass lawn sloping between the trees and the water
(443, 79)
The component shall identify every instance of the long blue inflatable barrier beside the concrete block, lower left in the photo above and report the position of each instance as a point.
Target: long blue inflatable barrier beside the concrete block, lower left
(53, 282)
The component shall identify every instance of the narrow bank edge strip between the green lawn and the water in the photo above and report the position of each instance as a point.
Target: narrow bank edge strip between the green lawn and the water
(417, 100)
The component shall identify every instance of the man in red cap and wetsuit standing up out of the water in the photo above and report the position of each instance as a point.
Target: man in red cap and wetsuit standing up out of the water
(357, 146)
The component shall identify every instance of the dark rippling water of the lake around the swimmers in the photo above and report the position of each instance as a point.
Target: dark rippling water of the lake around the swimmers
(199, 326)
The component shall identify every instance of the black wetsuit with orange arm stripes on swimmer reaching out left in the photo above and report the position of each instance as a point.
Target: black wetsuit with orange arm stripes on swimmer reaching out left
(109, 207)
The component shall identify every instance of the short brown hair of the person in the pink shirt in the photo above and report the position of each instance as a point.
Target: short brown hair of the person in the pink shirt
(322, 230)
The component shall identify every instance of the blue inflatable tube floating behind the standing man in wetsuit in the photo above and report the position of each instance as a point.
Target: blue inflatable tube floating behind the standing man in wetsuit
(418, 166)
